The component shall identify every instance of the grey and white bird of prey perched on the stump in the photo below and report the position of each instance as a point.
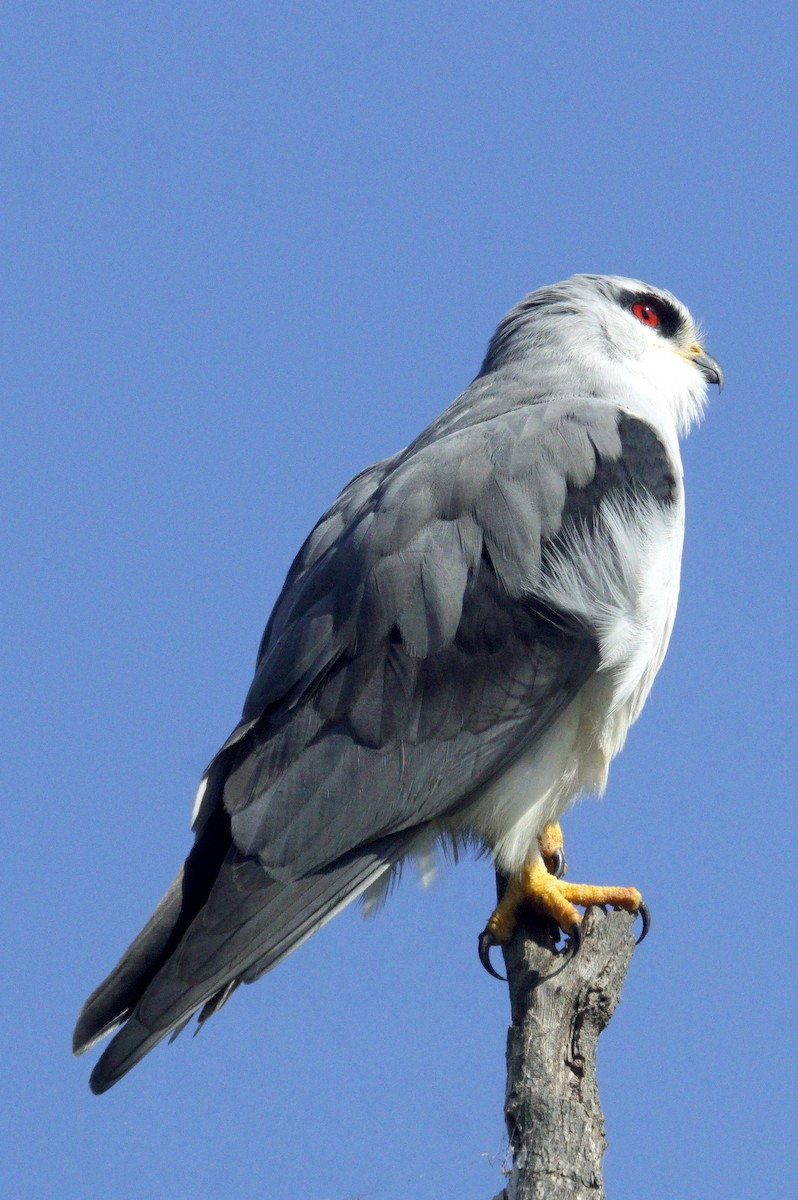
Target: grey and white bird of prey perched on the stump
(458, 652)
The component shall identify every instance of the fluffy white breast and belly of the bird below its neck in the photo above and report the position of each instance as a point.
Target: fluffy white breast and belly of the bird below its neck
(623, 580)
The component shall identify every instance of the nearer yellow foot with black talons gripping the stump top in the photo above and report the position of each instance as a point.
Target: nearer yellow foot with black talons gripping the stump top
(556, 899)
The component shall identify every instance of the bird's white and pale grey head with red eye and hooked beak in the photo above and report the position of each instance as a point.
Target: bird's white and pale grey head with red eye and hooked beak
(608, 337)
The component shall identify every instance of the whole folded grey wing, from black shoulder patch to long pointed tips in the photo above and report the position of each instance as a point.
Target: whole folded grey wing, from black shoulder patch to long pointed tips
(406, 663)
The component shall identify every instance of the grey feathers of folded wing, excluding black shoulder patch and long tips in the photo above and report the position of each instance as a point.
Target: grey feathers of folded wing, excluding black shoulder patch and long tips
(410, 658)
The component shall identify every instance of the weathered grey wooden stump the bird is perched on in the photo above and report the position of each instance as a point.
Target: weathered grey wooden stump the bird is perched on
(553, 1111)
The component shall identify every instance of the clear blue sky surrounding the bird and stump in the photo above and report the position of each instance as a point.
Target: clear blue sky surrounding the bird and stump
(248, 250)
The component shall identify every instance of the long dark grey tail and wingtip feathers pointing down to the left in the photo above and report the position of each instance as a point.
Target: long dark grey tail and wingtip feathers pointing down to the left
(248, 923)
